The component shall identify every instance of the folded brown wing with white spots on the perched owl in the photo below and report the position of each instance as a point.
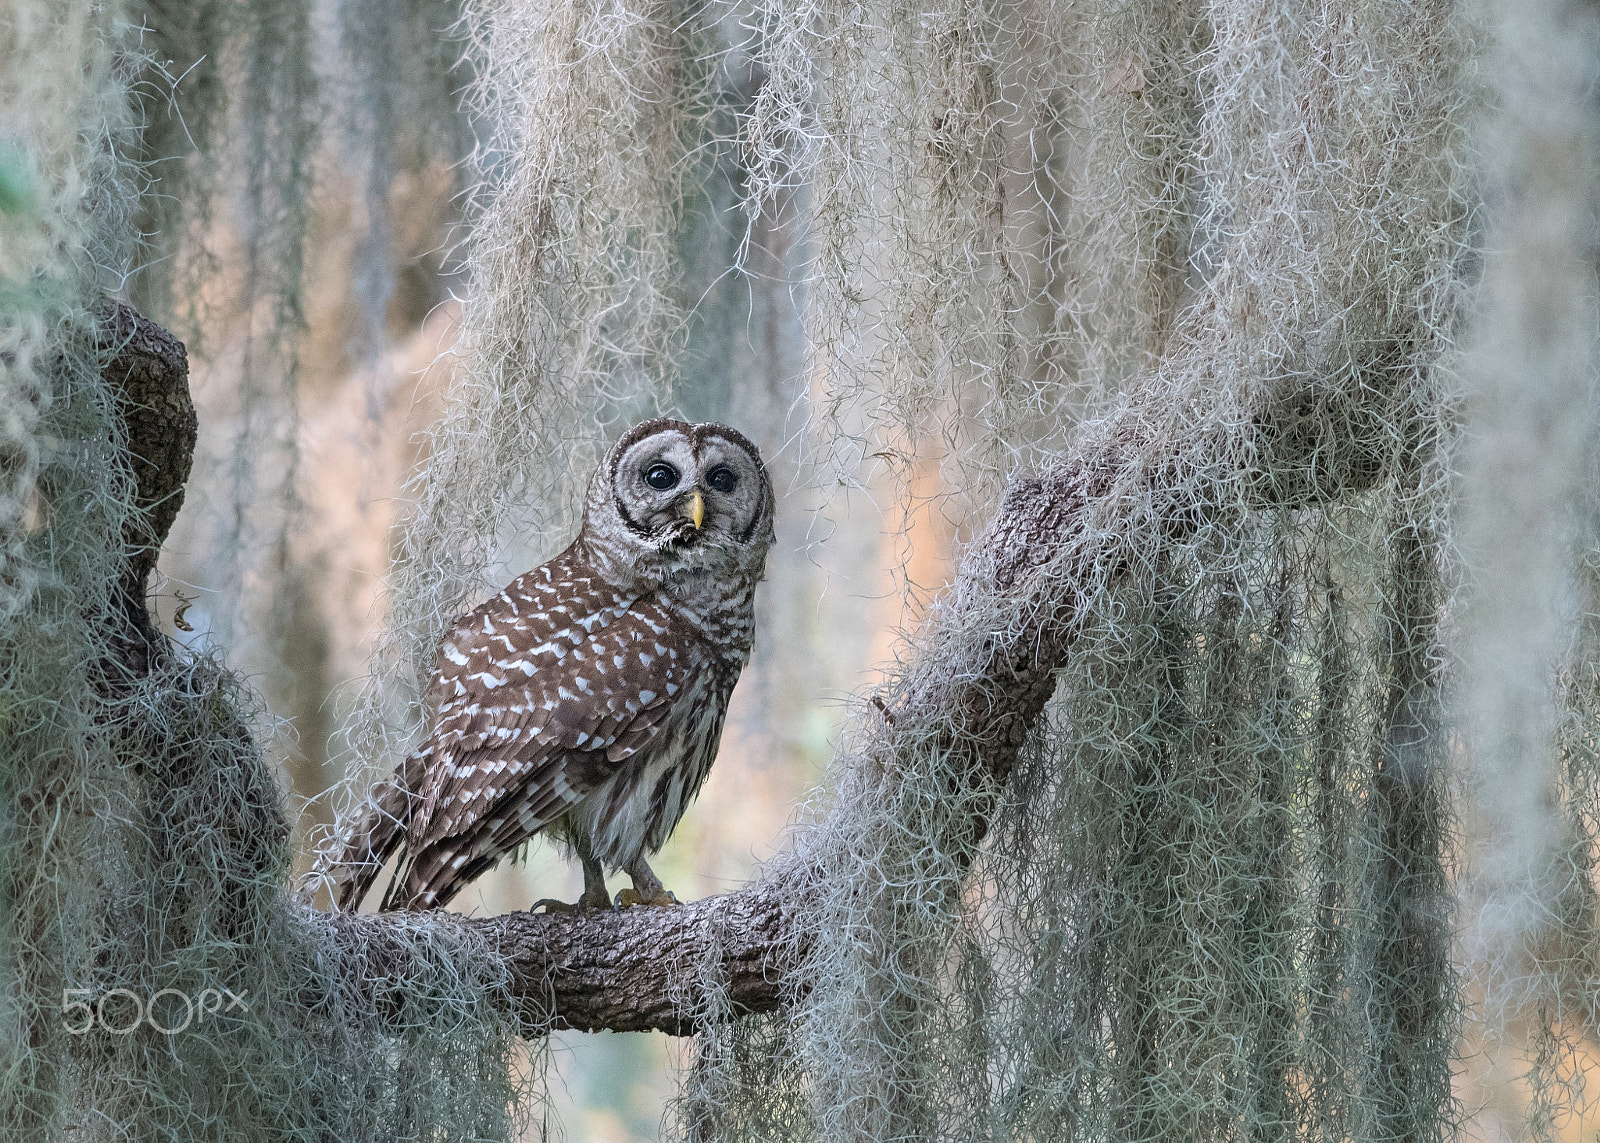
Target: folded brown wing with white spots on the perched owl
(543, 694)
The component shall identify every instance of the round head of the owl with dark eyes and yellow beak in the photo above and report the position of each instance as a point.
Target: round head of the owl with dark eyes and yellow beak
(674, 499)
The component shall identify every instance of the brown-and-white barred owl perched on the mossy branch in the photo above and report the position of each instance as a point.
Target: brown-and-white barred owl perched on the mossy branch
(588, 699)
